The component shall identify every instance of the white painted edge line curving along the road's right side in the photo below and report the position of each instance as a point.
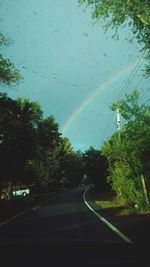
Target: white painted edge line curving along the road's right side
(112, 227)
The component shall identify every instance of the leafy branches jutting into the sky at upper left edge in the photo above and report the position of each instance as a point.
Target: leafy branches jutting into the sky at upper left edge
(8, 73)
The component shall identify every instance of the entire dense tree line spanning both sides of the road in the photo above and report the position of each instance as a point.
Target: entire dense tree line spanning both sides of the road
(33, 151)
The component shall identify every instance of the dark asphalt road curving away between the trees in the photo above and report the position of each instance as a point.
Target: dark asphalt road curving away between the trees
(64, 217)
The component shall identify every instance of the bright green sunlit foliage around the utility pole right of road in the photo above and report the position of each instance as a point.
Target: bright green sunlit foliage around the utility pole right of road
(128, 152)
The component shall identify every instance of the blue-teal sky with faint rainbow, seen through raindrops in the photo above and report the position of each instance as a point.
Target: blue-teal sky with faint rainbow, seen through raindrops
(71, 66)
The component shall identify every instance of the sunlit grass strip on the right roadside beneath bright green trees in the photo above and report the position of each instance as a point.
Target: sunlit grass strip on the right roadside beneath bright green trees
(114, 206)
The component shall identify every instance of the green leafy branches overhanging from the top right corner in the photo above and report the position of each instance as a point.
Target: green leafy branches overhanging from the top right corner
(134, 13)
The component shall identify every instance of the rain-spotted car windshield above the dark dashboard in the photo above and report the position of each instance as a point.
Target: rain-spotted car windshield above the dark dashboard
(75, 121)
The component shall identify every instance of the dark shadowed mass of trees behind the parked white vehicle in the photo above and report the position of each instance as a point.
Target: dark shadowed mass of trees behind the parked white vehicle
(32, 149)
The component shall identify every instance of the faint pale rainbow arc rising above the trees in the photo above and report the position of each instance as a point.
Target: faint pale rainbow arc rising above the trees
(113, 78)
